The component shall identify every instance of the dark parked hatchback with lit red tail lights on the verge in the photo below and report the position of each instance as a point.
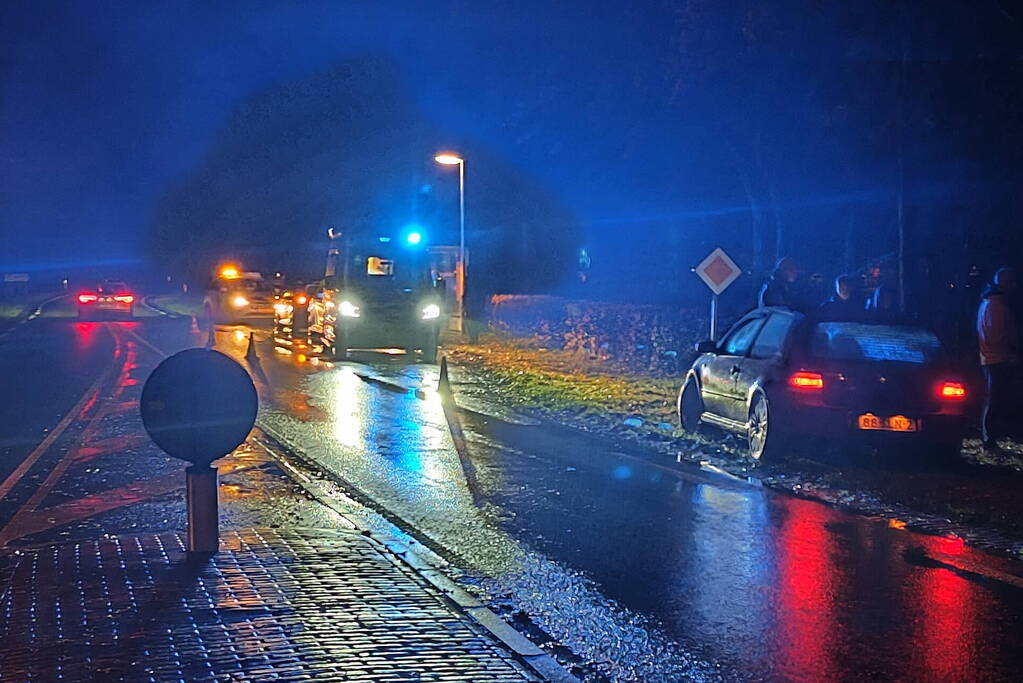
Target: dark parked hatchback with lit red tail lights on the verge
(782, 379)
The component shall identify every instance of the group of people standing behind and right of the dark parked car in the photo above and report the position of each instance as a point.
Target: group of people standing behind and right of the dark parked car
(998, 332)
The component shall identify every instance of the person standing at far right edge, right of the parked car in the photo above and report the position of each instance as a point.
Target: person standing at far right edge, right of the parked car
(998, 337)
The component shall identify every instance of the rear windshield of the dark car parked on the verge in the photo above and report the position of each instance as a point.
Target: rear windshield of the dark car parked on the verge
(864, 342)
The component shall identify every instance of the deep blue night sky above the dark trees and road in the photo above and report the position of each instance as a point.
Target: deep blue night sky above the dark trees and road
(652, 123)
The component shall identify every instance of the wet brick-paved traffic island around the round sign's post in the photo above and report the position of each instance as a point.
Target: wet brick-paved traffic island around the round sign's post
(274, 605)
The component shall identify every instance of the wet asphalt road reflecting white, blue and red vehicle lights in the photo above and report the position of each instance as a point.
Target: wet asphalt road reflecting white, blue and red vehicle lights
(646, 569)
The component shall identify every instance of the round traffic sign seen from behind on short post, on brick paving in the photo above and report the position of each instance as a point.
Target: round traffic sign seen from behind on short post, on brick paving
(200, 405)
